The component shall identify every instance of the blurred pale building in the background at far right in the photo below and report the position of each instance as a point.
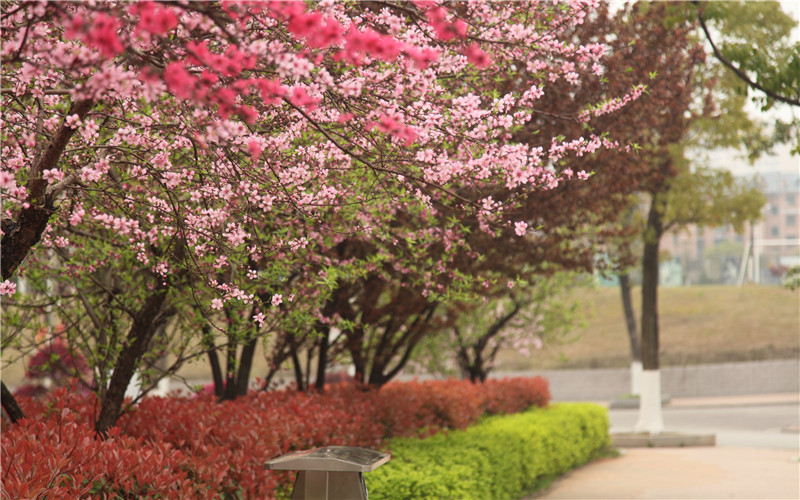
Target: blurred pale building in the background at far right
(761, 254)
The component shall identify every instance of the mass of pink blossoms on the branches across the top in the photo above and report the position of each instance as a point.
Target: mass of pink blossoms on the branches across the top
(258, 131)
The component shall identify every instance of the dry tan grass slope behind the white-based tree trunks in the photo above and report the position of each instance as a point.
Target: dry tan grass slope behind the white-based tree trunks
(699, 324)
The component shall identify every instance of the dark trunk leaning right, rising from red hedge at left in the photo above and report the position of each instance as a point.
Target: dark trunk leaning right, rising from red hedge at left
(145, 324)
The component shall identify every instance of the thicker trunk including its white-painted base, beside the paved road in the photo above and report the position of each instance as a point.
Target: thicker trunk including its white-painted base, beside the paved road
(650, 416)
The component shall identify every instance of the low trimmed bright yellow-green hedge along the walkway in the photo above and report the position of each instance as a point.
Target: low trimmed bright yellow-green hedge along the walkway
(502, 457)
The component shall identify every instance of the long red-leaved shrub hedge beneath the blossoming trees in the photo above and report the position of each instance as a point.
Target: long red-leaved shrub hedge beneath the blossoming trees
(198, 448)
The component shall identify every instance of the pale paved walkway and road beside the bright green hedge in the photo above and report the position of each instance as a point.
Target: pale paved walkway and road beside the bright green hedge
(765, 467)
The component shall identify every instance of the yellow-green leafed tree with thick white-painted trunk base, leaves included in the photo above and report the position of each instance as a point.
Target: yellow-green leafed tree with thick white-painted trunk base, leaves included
(711, 114)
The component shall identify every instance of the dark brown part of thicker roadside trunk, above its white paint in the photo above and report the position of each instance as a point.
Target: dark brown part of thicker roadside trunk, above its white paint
(652, 239)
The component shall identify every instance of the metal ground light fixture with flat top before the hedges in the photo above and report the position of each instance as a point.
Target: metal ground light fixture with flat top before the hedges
(330, 473)
